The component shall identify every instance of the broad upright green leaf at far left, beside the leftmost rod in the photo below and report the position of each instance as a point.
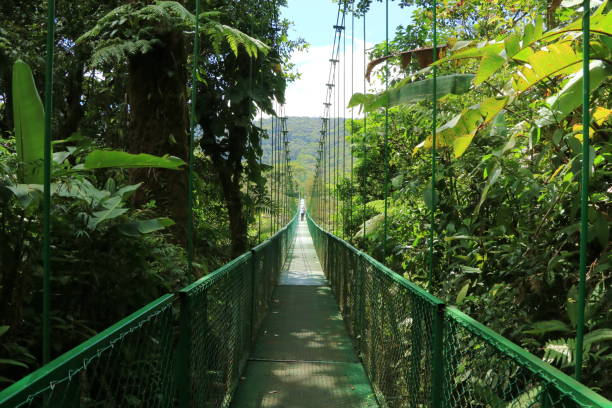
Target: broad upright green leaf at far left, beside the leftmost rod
(28, 116)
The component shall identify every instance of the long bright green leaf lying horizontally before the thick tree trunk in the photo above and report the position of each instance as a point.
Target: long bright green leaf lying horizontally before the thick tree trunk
(100, 159)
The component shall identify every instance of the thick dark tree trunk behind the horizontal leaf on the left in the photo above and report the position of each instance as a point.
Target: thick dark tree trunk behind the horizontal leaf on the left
(158, 124)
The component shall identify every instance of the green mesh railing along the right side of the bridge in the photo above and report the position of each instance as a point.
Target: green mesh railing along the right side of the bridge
(418, 352)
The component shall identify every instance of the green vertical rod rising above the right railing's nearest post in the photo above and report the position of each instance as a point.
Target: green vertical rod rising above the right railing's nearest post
(433, 147)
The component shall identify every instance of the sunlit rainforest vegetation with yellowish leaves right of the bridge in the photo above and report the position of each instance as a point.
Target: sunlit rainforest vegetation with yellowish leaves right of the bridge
(508, 170)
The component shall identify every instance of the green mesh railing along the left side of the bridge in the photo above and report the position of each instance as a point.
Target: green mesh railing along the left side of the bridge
(182, 350)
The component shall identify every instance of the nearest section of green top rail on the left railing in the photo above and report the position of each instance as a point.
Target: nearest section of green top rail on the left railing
(75, 360)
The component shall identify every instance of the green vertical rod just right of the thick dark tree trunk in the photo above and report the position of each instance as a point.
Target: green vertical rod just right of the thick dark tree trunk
(192, 125)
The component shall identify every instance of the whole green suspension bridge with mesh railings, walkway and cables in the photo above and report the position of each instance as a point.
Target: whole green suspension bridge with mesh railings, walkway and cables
(302, 320)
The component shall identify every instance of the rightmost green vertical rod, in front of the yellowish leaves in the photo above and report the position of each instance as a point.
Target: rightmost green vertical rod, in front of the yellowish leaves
(584, 192)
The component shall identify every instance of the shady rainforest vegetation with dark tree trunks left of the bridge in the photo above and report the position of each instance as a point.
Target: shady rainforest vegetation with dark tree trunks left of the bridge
(120, 142)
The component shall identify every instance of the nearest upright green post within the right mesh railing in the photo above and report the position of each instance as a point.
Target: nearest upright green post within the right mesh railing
(438, 396)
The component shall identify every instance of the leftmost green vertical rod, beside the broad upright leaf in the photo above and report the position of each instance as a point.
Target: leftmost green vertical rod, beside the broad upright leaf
(46, 216)
